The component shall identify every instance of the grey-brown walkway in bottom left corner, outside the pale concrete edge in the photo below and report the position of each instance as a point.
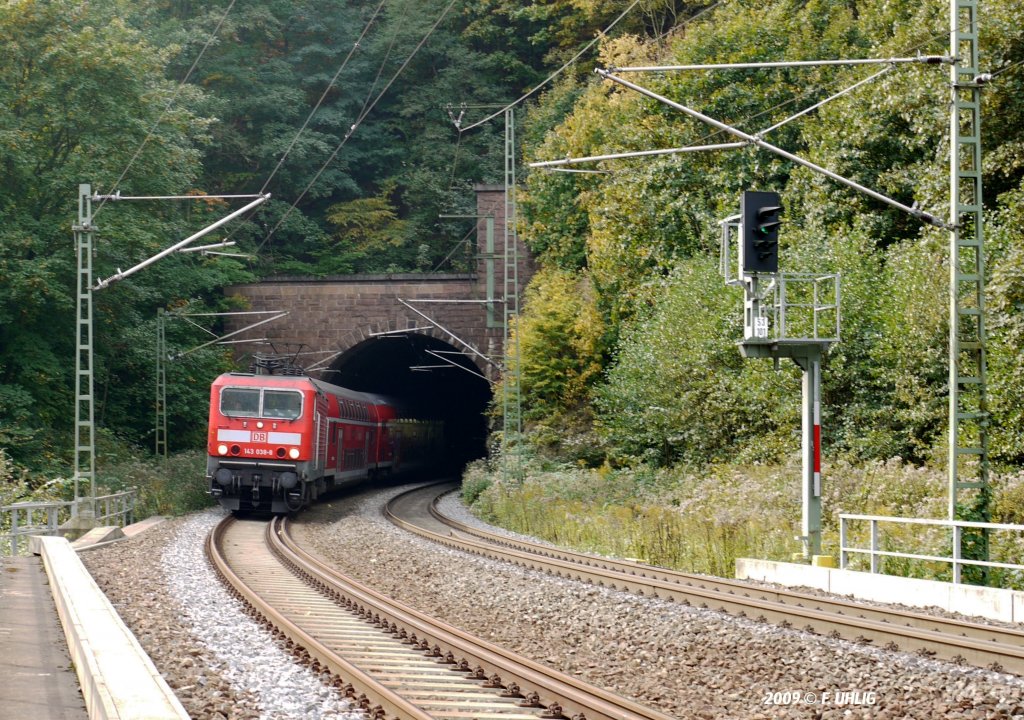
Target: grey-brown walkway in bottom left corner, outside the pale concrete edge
(38, 681)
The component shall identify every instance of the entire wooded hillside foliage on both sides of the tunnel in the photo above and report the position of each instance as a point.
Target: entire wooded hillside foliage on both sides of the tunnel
(628, 337)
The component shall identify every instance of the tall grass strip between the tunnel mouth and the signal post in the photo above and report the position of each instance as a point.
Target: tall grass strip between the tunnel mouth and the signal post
(688, 522)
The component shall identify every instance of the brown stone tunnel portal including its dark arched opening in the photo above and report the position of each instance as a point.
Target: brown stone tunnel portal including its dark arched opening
(426, 338)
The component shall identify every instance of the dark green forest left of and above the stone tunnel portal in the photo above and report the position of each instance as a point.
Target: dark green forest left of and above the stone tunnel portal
(169, 98)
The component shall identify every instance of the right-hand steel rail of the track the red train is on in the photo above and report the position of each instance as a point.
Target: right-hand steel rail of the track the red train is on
(562, 695)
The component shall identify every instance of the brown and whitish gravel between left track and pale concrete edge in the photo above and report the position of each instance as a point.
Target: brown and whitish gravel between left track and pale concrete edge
(220, 662)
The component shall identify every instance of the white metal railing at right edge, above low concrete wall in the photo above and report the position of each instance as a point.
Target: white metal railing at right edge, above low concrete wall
(956, 540)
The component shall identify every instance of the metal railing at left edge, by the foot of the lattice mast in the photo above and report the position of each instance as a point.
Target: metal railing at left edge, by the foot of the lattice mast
(20, 521)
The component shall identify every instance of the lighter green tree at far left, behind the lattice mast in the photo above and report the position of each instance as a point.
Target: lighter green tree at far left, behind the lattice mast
(80, 91)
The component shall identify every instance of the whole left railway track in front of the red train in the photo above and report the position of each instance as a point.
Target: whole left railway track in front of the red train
(394, 661)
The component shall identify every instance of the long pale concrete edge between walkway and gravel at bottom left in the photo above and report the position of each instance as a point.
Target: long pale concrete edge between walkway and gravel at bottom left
(118, 680)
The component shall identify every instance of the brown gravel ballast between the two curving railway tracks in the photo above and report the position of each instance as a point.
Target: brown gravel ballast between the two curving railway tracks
(688, 662)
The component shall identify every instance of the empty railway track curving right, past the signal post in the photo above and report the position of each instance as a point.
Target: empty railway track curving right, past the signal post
(956, 641)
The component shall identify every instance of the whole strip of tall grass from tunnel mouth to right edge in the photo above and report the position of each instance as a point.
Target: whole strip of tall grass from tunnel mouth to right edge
(703, 522)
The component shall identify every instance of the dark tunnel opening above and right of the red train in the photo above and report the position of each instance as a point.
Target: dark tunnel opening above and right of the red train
(432, 377)
